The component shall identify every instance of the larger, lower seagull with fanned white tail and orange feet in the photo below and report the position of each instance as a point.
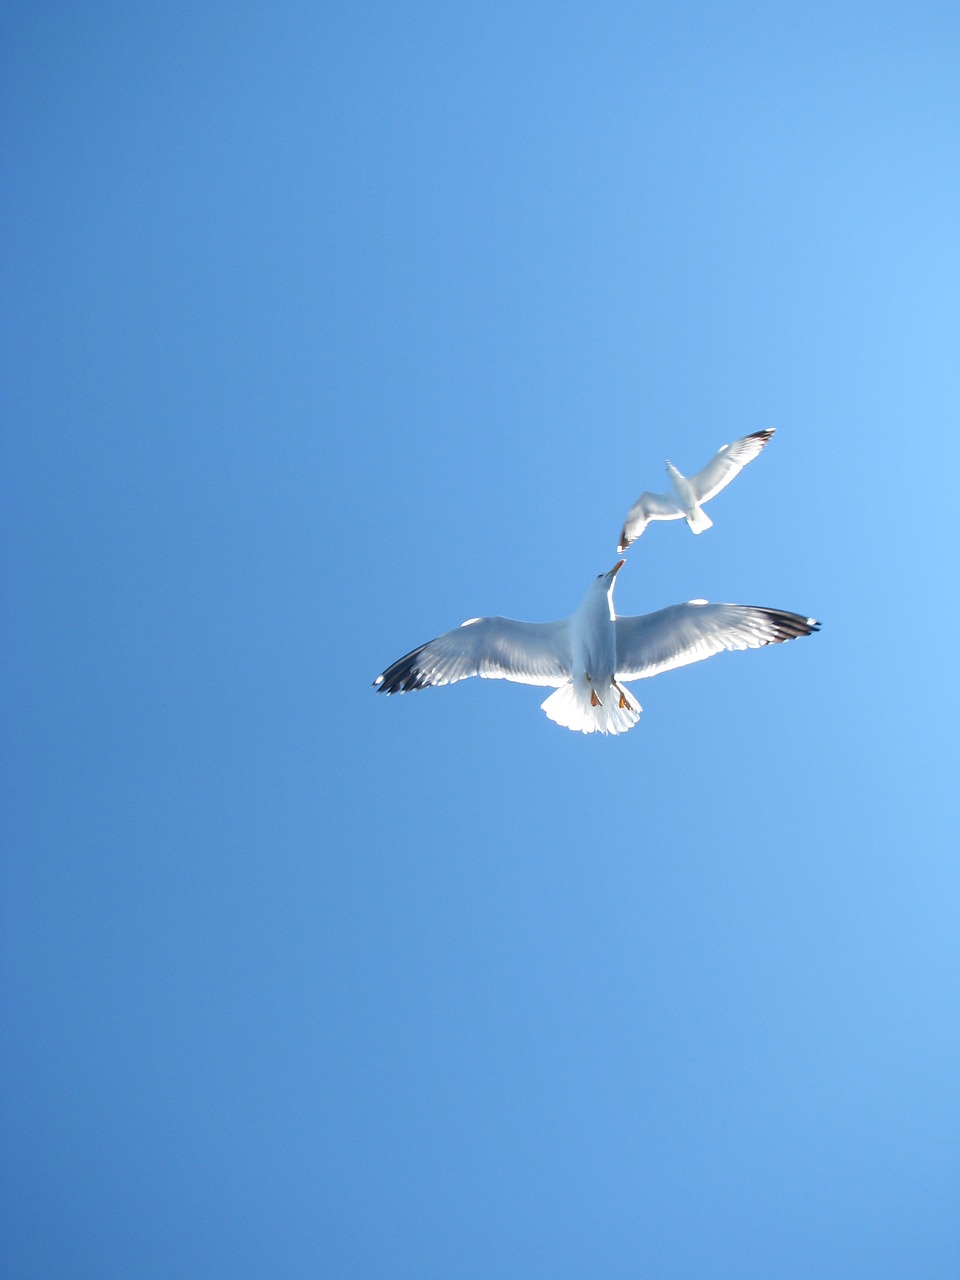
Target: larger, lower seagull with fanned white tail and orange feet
(589, 656)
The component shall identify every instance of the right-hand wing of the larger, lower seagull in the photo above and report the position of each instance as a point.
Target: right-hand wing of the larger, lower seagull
(691, 633)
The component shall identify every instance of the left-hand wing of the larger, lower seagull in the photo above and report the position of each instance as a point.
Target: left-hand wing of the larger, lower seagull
(529, 653)
